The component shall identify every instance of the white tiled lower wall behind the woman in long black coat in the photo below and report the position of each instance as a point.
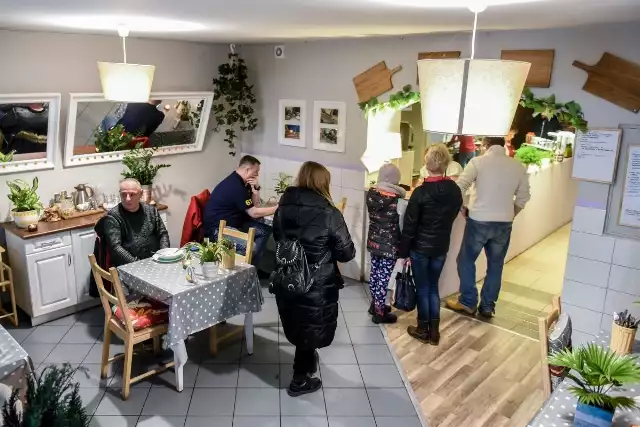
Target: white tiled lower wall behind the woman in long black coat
(347, 183)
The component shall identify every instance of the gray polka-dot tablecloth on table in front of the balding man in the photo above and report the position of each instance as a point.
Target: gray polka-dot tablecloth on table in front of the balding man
(195, 306)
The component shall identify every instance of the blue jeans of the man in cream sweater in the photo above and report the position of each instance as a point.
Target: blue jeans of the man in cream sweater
(494, 238)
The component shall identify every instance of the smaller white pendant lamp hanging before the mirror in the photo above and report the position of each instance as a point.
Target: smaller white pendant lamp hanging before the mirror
(126, 82)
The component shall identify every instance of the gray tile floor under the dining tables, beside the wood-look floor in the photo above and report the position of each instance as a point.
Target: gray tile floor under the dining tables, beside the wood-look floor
(361, 384)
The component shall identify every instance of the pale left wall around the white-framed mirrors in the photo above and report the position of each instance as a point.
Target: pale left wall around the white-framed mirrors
(50, 62)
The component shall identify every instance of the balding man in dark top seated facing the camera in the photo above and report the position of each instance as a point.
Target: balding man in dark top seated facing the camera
(133, 230)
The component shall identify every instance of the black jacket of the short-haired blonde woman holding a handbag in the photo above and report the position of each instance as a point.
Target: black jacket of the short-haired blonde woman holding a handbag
(429, 217)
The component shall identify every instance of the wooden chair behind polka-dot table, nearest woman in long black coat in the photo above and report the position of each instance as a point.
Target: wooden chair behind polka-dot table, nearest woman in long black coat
(214, 337)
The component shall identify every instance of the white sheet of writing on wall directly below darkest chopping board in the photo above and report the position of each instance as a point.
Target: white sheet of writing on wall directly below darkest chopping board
(596, 154)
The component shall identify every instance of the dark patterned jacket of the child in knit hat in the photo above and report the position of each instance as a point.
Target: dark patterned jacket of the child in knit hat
(384, 226)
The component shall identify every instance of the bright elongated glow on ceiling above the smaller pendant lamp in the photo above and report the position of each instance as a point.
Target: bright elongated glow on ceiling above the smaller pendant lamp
(136, 24)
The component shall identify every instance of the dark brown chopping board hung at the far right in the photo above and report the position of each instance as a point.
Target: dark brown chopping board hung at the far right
(613, 79)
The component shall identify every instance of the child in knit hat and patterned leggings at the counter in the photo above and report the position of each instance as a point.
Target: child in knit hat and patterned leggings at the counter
(383, 240)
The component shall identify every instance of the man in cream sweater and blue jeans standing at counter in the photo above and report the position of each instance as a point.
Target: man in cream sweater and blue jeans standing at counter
(501, 192)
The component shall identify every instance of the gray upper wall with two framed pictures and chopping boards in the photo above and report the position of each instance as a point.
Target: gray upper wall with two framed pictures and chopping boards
(323, 71)
